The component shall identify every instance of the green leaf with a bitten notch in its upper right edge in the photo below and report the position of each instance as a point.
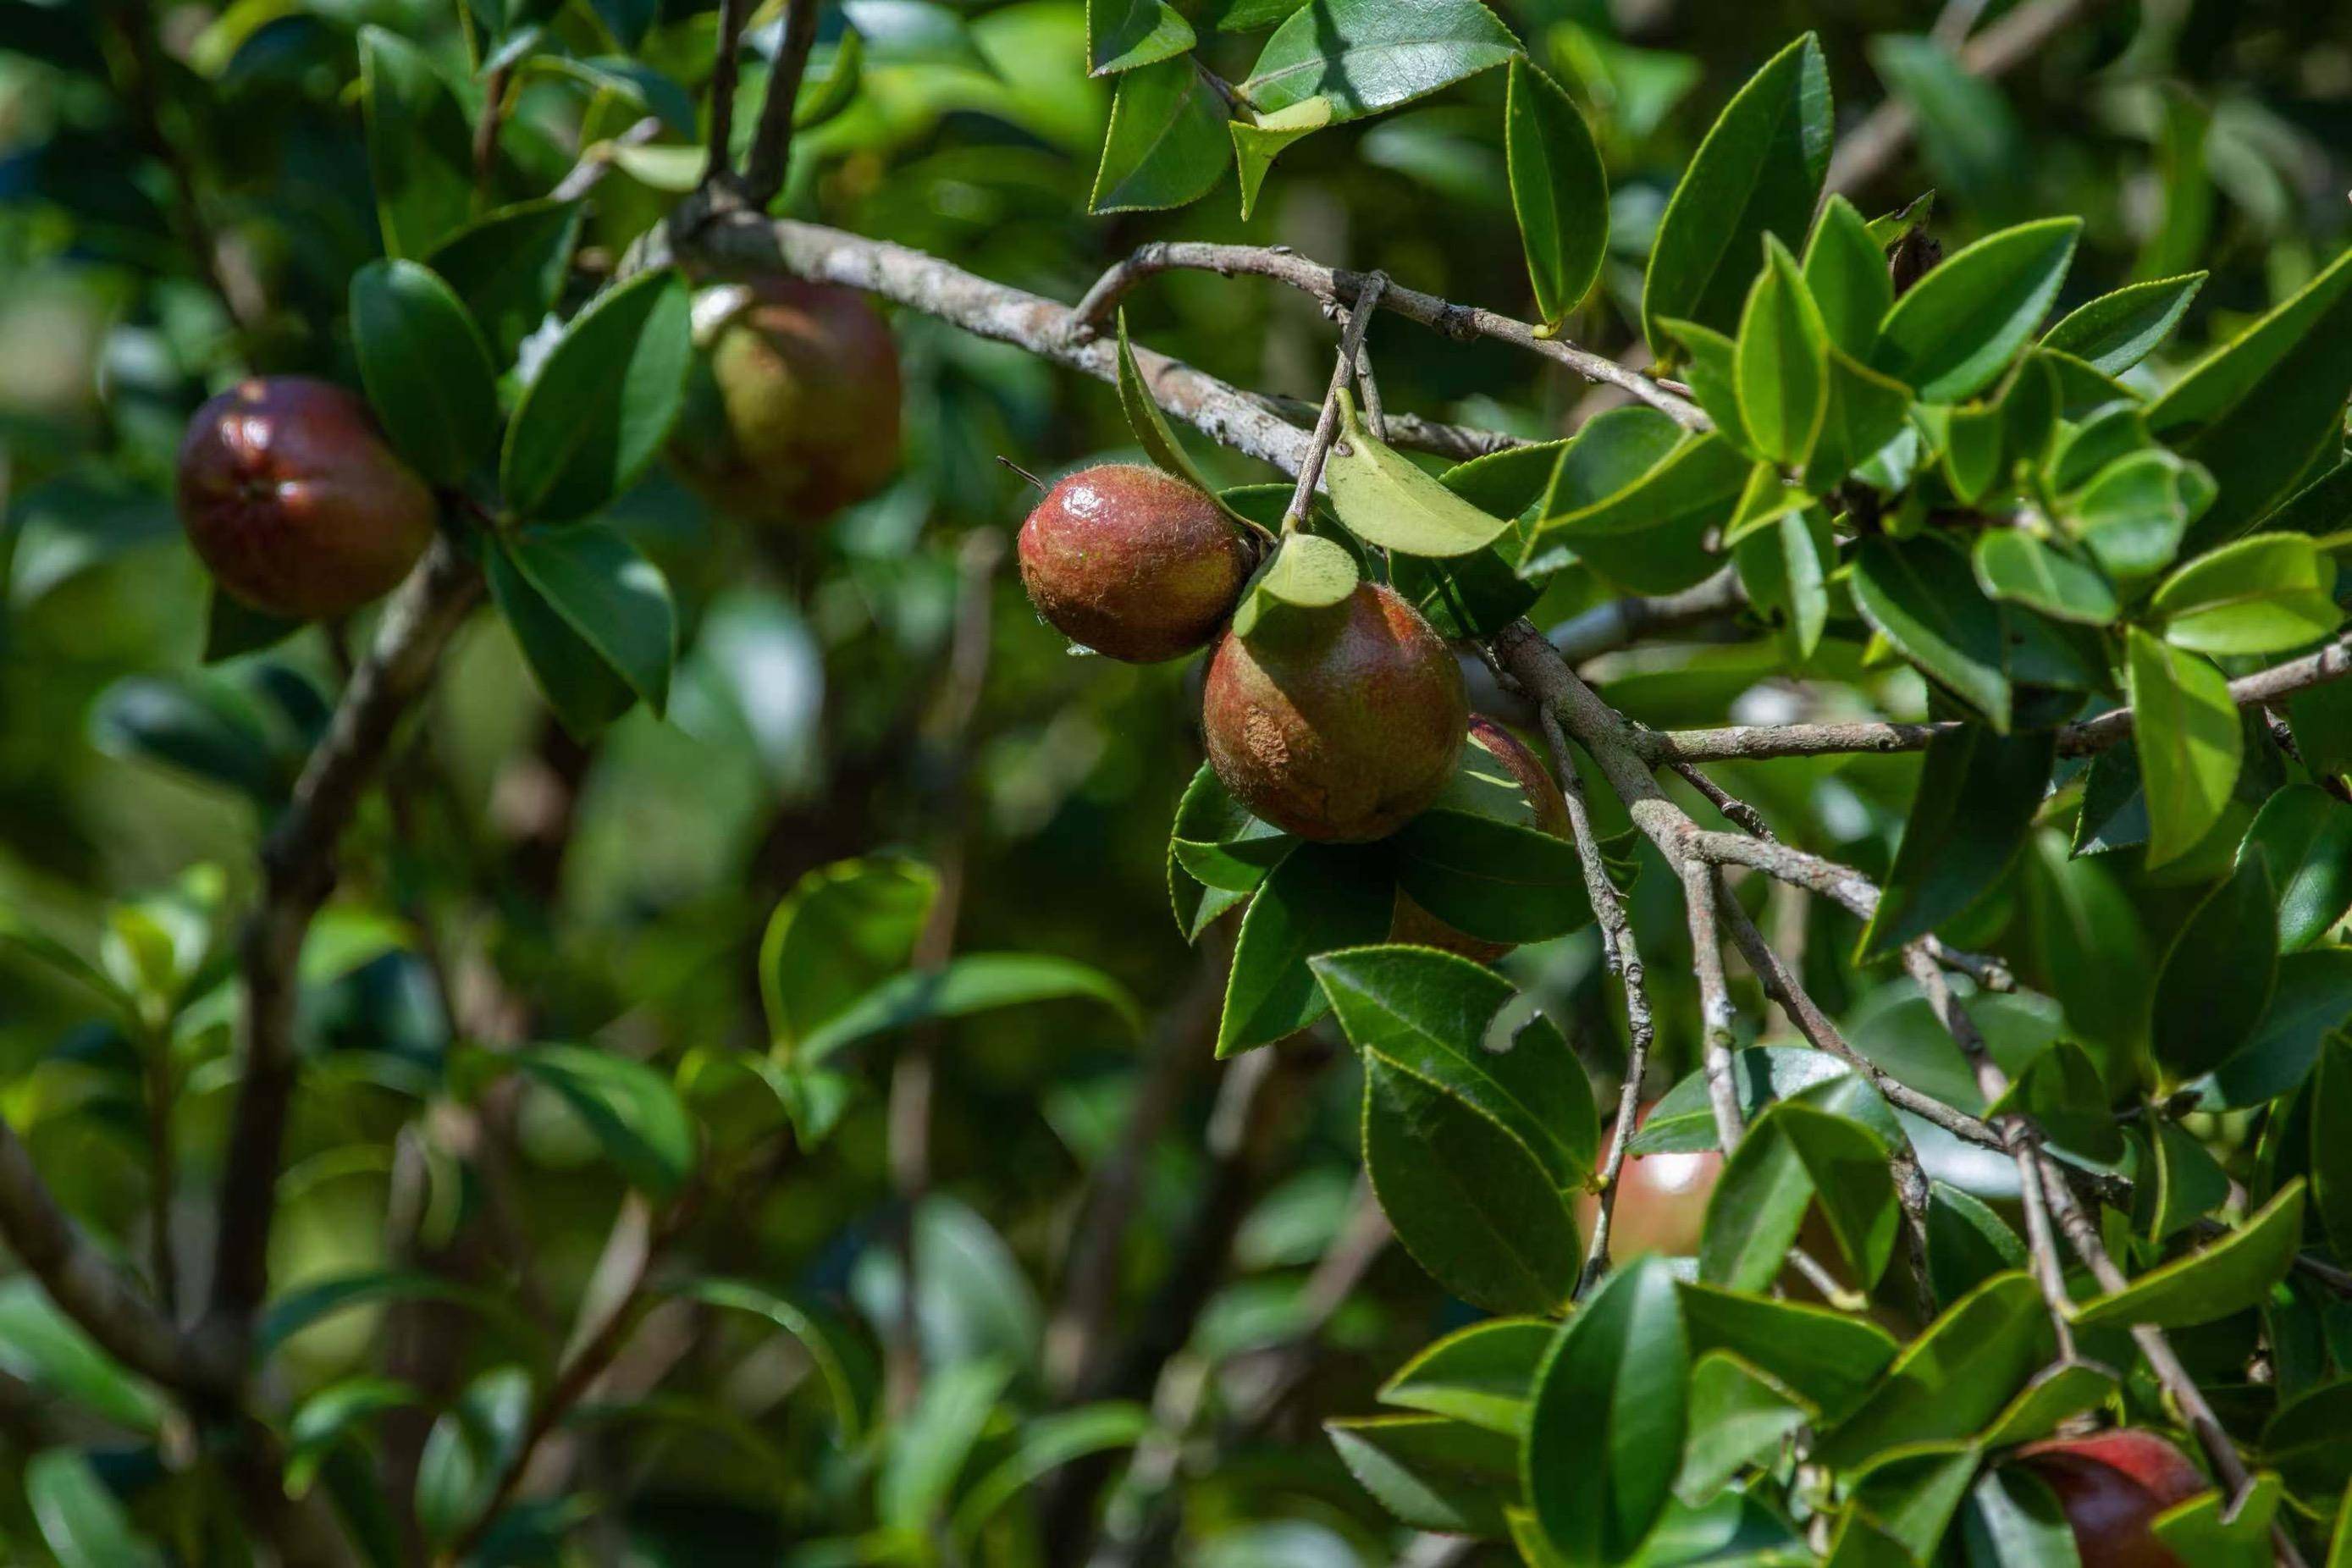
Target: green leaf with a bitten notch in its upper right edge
(1438, 1017)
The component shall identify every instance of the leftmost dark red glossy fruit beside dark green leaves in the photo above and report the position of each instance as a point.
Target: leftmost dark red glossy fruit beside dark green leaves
(295, 502)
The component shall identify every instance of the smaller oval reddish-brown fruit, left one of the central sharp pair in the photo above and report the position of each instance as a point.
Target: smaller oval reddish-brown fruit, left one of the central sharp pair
(1132, 563)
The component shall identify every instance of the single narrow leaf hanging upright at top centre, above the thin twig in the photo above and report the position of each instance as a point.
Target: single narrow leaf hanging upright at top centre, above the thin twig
(1558, 189)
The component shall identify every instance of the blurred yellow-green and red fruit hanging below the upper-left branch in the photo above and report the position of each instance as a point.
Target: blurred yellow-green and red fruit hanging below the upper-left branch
(799, 415)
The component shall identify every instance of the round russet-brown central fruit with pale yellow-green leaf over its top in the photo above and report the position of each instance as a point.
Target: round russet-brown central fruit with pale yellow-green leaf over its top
(1337, 725)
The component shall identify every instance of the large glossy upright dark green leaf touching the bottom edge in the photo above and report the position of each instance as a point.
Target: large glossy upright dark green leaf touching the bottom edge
(1605, 1438)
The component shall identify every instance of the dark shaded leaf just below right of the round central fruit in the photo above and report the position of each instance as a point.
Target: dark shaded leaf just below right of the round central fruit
(1499, 883)
